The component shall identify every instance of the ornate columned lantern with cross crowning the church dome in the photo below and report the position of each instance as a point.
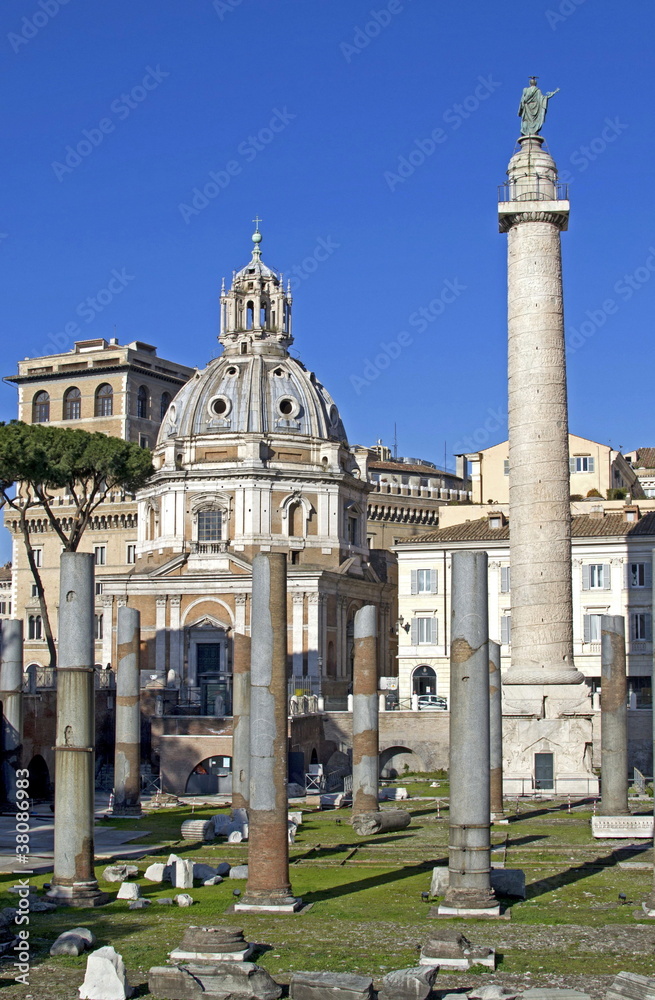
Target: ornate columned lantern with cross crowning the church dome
(256, 312)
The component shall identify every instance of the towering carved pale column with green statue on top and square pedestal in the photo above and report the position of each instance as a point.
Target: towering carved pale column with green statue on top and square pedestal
(548, 730)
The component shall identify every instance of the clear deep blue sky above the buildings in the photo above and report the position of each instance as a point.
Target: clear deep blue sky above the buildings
(308, 113)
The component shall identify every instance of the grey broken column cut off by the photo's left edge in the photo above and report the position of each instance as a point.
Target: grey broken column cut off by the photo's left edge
(11, 695)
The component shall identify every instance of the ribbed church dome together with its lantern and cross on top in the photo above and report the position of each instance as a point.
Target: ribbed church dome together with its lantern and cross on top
(255, 386)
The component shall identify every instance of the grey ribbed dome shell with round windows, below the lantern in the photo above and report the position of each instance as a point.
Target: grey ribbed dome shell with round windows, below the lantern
(255, 394)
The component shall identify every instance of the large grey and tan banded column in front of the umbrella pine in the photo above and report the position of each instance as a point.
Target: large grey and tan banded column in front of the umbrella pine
(74, 882)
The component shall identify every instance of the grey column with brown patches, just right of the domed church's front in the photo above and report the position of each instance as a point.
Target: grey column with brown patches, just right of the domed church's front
(365, 712)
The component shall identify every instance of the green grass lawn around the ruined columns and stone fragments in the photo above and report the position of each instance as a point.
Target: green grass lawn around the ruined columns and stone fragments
(367, 914)
